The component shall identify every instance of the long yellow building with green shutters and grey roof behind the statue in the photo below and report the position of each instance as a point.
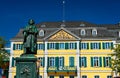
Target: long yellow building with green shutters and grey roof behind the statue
(71, 49)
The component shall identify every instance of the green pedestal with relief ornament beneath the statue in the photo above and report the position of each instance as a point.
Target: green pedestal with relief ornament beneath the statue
(26, 66)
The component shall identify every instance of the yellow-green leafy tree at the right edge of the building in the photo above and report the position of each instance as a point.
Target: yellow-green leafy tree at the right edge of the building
(115, 62)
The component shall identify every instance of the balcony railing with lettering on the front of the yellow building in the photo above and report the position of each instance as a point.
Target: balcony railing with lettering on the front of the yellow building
(62, 69)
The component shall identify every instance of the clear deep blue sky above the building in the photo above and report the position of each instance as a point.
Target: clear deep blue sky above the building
(14, 14)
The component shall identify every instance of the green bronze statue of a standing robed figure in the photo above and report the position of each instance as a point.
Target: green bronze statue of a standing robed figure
(30, 38)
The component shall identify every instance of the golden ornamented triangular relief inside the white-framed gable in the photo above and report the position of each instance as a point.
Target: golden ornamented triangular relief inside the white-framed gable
(62, 35)
